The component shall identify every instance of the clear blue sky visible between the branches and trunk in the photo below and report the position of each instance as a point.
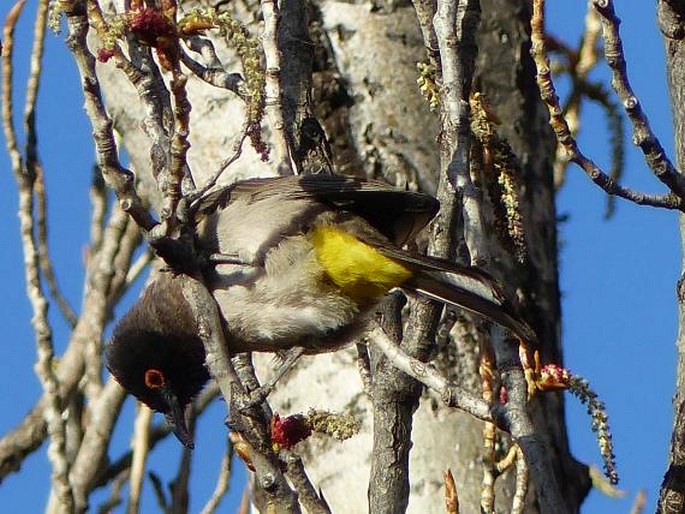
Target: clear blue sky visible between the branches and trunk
(617, 277)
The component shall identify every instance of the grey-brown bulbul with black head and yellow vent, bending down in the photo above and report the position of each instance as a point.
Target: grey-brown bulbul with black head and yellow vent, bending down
(306, 257)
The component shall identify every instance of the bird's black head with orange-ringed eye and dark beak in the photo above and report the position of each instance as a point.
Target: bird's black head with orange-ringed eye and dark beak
(156, 354)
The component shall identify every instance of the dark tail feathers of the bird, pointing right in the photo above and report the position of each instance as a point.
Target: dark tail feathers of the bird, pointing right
(474, 293)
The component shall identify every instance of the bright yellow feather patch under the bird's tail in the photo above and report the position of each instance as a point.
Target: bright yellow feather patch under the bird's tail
(361, 271)
